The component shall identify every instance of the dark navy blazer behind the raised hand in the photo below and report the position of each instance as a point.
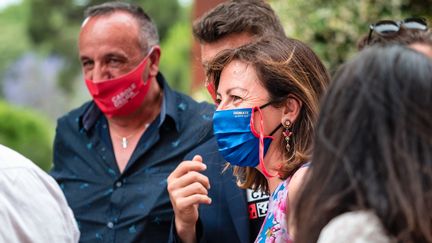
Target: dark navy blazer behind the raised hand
(226, 218)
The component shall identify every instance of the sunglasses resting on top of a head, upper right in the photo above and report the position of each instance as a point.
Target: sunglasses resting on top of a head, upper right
(389, 27)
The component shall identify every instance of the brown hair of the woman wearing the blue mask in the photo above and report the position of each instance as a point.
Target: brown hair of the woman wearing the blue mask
(284, 66)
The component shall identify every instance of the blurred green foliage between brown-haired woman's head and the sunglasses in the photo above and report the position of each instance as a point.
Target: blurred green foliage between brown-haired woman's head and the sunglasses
(333, 27)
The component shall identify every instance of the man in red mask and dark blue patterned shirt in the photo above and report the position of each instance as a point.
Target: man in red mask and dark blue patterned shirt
(113, 154)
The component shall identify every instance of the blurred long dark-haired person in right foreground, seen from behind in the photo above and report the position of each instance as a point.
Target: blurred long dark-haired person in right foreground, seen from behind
(371, 173)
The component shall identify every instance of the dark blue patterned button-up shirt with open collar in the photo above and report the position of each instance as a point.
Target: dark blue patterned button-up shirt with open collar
(132, 206)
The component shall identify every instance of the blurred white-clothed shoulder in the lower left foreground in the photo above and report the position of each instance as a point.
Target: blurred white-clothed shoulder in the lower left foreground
(28, 190)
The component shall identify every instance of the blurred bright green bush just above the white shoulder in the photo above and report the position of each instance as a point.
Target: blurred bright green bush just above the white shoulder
(28, 133)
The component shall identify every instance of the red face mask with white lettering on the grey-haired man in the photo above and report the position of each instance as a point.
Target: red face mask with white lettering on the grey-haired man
(123, 95)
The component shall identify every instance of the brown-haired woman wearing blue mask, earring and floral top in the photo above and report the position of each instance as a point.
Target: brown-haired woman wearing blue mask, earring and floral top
(267, 102)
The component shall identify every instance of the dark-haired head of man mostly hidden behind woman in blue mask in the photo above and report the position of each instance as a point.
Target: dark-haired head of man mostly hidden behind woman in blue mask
(232, 24)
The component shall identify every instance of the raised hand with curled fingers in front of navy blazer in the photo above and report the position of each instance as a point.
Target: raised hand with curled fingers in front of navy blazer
(188, 188)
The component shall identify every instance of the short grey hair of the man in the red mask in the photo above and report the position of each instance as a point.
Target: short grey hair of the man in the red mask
(148, 31)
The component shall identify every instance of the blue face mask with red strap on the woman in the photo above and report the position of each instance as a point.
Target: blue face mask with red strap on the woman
(239, 143)
